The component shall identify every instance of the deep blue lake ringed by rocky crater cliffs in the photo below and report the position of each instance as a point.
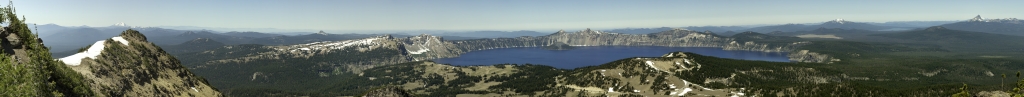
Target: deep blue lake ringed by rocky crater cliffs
(585, 57)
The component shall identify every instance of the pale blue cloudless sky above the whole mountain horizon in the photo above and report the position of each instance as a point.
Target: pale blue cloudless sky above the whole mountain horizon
(494, 15)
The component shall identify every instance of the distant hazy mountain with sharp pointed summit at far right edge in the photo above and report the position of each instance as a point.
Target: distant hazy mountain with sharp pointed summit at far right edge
(999, 26)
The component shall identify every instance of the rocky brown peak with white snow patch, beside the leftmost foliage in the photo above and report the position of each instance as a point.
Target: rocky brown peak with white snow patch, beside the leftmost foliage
(130, 66)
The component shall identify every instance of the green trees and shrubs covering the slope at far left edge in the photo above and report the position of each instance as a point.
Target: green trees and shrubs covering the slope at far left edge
(40, 76)
